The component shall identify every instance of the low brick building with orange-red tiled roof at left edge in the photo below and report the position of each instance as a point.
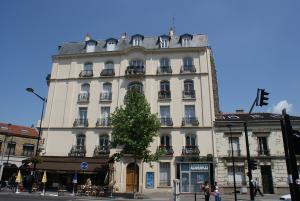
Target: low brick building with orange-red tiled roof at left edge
(17, 143)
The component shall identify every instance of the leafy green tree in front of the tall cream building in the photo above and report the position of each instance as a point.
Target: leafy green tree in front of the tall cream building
(134, 128)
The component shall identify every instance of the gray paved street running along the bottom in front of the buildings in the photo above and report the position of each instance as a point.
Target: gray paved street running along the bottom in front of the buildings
(154, 197)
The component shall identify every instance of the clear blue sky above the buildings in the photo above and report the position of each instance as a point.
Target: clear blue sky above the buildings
(255, 44)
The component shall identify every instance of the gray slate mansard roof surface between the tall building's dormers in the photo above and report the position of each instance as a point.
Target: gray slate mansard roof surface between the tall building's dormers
(198, 40)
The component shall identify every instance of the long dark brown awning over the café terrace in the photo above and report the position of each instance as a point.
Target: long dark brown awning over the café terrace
(58, 163)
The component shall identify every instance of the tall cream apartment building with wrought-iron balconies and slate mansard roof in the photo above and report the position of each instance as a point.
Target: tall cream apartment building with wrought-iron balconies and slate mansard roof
(89, 79)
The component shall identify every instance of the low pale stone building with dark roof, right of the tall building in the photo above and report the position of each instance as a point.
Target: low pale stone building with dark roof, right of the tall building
(266, 147)
